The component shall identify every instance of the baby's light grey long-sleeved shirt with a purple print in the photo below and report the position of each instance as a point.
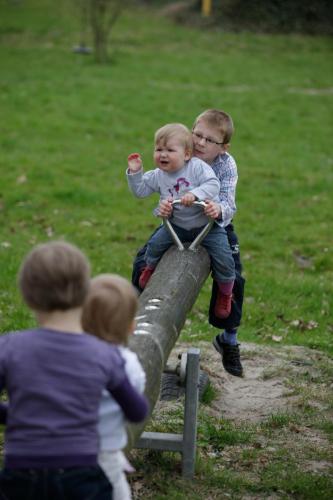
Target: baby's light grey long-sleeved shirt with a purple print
(196, 177)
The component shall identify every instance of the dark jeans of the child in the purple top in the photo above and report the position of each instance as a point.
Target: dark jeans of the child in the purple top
(73, 483)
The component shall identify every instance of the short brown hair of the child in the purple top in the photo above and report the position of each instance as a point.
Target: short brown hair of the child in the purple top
(54, 276)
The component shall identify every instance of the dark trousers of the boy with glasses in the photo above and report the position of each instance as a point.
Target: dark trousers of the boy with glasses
(234, 319)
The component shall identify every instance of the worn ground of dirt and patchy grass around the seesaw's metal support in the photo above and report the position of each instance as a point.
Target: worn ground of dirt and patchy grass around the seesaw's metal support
(277, 416)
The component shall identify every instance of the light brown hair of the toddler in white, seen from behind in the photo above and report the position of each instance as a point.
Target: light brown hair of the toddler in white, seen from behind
(110, 308)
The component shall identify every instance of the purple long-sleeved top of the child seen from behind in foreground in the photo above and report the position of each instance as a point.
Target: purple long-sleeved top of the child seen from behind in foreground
(54, 382)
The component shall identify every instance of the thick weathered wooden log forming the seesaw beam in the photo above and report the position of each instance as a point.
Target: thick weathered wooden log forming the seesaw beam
(163, 307)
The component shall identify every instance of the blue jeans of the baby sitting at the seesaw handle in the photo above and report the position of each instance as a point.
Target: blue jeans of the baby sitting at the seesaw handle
(216, 243)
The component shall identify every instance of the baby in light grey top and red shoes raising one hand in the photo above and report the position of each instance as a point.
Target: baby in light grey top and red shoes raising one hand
(179, 175)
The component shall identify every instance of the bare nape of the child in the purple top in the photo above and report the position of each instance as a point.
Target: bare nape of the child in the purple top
(65, 321)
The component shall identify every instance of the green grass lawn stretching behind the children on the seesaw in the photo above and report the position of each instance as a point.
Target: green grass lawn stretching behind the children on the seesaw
(67, 126)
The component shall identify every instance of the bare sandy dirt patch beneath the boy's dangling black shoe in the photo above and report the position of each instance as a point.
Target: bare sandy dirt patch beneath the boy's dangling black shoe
(265, 388)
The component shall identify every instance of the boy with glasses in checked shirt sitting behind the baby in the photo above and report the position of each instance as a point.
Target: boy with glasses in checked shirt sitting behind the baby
(212, 133)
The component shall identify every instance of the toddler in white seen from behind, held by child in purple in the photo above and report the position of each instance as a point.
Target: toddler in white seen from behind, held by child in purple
(109, 313)
